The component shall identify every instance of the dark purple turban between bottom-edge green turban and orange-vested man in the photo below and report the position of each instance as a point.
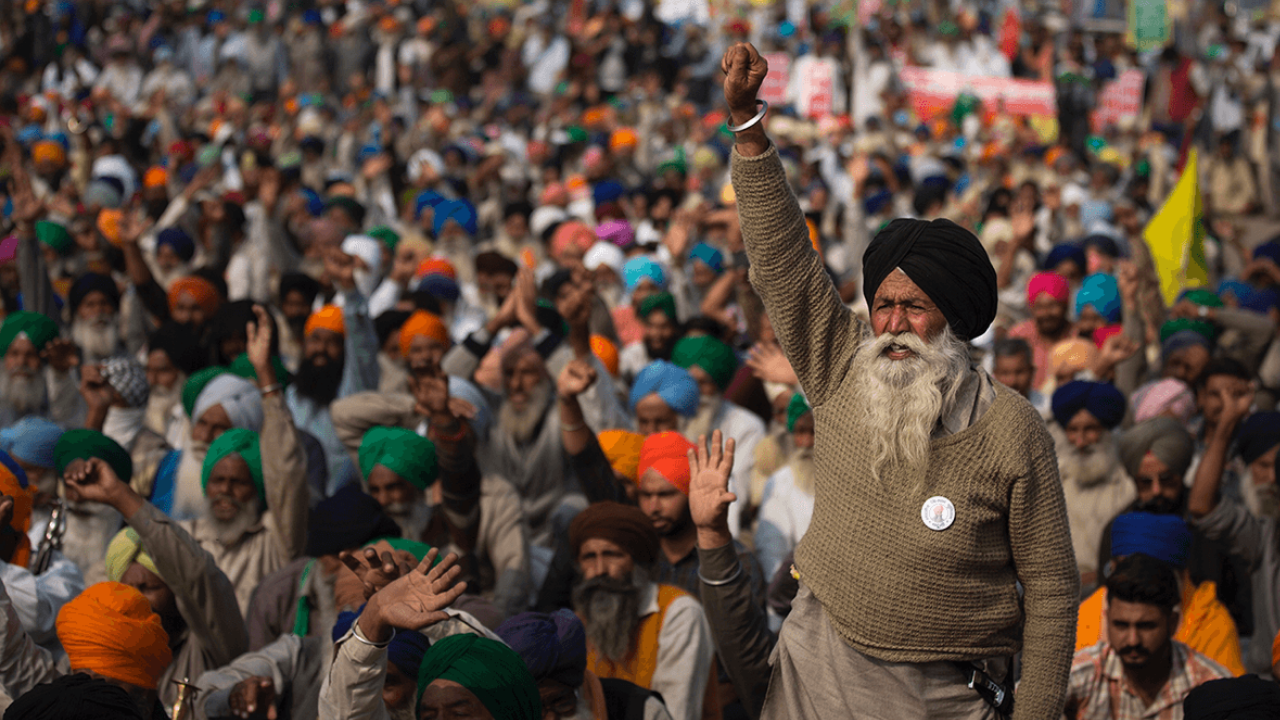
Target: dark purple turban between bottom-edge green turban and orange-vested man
(554, 646)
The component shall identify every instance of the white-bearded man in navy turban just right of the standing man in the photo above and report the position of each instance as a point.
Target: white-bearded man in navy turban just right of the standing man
(1094, 480)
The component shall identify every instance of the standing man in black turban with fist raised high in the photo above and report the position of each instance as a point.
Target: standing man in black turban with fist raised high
(936, 490)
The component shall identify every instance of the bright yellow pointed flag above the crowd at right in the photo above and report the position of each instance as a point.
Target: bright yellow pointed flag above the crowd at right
(1177, 238)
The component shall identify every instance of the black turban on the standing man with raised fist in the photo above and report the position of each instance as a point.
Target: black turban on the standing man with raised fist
(948, 263)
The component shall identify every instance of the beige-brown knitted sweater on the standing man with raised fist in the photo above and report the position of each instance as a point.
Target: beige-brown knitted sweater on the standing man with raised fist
(894, 589)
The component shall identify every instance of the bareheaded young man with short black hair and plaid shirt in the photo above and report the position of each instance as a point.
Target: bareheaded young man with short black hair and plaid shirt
(1139, 671)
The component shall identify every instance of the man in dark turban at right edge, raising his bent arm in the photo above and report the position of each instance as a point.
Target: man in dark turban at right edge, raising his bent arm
(1251, 526)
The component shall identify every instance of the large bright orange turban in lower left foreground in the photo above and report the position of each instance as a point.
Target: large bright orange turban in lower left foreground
(112, 631)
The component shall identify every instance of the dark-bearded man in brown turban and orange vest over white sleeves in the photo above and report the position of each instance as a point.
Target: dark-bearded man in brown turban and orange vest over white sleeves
(652, 635)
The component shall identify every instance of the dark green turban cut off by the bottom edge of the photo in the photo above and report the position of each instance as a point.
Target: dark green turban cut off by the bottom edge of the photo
(490, 669)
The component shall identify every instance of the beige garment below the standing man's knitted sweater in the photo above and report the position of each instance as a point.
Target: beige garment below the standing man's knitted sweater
(819, 676)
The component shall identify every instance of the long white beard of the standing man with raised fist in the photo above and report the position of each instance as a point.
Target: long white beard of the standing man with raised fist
(899, 403)
